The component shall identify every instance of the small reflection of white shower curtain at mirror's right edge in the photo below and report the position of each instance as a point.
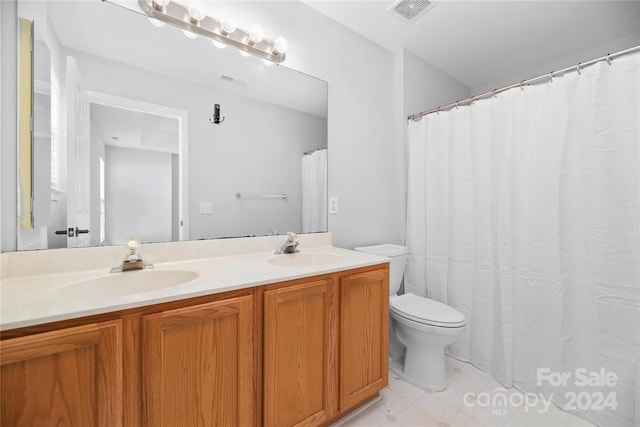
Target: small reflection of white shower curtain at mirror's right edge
(314, 191)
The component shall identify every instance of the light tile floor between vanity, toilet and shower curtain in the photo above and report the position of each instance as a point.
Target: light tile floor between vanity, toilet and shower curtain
(405, 405)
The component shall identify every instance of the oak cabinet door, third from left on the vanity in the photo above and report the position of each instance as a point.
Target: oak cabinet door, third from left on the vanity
(300, 350)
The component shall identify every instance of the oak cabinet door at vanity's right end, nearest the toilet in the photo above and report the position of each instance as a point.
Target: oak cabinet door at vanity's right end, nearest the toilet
(364, 325)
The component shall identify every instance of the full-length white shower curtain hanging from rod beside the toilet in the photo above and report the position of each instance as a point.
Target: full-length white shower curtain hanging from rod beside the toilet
(523, 214)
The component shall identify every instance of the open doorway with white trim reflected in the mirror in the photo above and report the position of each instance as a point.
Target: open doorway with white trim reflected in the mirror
(142, 144)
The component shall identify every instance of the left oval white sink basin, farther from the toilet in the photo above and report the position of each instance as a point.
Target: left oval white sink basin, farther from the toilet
(127, 283)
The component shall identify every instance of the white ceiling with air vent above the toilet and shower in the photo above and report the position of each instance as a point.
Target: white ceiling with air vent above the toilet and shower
(478, 42)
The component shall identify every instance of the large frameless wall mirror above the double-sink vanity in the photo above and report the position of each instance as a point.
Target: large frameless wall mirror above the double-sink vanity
(123, 140)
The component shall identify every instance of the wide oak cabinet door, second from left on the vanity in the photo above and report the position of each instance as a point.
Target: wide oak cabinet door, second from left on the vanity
(198, 365)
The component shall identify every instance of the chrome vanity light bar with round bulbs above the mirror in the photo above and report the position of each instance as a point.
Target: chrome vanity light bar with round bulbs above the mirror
(194, 21)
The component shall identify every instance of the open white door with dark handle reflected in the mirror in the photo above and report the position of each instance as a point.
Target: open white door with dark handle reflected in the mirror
(78, 145)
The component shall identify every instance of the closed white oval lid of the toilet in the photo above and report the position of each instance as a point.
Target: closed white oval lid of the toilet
(427, 311)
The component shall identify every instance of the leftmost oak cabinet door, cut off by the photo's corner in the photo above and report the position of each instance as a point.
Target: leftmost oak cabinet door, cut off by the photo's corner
(70, 377)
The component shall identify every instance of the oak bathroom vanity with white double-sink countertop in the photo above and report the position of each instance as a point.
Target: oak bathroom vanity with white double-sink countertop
(248, 342)
